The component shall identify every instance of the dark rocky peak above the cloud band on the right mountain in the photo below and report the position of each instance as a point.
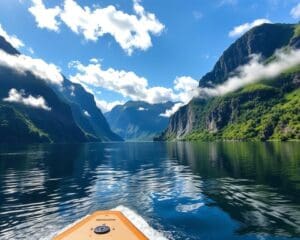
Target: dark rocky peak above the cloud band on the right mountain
(263, 40)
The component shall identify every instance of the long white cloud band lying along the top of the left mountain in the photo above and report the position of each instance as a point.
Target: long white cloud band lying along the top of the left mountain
(23, 64)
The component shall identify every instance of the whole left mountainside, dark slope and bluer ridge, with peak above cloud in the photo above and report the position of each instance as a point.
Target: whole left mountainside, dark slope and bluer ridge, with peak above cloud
(72, 116)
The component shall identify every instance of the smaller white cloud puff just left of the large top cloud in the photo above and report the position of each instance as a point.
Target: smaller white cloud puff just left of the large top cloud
(45, 17)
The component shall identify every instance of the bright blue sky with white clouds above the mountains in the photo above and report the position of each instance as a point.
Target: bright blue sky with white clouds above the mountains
(177, 40)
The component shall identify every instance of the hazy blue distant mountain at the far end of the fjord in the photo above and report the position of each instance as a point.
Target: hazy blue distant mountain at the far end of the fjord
(137, 120)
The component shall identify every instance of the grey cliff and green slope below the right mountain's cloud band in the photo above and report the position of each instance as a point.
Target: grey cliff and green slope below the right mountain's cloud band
(263, 111)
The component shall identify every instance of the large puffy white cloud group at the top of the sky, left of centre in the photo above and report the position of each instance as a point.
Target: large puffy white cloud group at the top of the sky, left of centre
(130, 31)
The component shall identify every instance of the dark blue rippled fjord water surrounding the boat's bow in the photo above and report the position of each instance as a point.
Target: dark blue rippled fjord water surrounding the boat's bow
(184, 190)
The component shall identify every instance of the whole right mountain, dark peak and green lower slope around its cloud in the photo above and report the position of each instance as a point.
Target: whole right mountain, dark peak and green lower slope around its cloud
(267, 110)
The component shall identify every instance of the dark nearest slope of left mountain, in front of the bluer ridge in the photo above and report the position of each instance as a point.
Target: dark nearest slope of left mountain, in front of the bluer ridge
(20, 123)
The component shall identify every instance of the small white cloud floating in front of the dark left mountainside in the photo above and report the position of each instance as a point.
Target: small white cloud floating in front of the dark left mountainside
(16, 96)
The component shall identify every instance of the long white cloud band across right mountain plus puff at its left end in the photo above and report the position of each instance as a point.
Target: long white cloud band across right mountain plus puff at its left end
(252, 72)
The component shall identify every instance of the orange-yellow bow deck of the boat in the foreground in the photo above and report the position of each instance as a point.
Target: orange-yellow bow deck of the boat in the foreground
(120, 228)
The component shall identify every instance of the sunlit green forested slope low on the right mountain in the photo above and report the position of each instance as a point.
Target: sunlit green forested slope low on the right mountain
(257, 112)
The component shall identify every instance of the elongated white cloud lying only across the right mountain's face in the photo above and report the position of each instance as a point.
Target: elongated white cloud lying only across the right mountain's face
(253, 72)
